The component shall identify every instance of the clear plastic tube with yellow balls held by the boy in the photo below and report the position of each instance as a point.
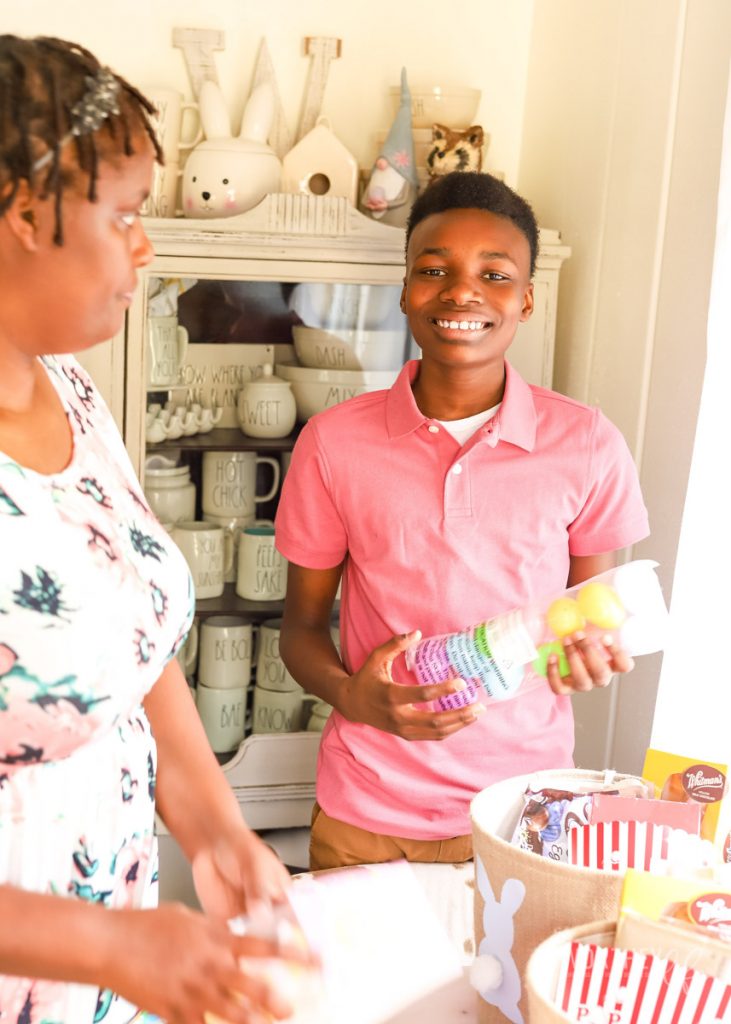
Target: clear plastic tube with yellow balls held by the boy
(510, 652)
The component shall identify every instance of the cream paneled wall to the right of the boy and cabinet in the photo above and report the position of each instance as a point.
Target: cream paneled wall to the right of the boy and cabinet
(622, 150)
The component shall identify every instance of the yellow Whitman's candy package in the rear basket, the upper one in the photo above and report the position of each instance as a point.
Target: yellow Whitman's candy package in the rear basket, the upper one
(704, 784)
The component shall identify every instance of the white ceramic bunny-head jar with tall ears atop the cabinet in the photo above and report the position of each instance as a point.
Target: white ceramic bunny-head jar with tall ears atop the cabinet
(225, 176)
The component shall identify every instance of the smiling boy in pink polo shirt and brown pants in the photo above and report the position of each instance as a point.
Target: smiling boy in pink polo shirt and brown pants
(461, 493)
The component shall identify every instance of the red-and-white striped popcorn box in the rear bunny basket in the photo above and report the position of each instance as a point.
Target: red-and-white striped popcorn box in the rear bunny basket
(615, 846)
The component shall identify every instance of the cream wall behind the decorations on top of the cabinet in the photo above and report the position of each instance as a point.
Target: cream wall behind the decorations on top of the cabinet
(479, 44)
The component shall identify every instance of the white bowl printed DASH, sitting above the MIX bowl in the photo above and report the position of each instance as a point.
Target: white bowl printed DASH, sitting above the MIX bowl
(350, 350)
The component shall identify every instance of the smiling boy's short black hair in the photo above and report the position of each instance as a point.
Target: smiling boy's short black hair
(475, 191)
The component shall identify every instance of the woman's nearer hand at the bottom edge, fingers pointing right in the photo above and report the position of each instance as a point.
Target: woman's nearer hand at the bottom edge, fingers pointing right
(181, 965)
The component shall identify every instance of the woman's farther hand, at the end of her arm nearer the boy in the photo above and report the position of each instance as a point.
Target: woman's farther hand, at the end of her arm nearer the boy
(238, 874)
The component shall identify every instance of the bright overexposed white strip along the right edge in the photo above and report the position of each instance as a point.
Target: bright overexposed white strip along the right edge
(693, 676)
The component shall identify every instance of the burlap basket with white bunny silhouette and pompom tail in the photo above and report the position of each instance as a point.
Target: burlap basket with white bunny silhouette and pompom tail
(542, 898)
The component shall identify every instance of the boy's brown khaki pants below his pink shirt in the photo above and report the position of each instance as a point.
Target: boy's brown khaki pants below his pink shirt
(335, 844)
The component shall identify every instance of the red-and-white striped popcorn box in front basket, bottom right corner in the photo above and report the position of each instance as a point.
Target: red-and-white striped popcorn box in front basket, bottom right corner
(599, 986)
